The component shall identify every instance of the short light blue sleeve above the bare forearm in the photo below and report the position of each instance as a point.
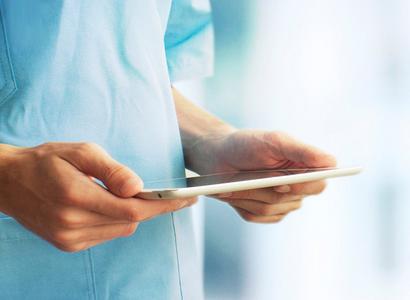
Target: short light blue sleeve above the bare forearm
(189, 39)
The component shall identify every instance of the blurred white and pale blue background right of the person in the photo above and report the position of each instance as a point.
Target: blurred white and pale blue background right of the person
(336, 74)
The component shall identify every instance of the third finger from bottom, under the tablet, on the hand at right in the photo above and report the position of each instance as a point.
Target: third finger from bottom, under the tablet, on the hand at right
(267, 195)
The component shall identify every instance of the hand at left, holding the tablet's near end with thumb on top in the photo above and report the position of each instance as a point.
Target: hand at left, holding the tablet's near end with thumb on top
(50, 190)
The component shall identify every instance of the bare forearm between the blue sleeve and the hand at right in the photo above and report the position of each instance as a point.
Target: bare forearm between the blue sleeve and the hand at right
(196, 125)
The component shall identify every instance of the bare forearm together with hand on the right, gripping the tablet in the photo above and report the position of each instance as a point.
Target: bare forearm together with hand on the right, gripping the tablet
(212, 146)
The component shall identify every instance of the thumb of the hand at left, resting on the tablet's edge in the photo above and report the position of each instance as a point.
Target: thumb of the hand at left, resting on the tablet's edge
(95, 161)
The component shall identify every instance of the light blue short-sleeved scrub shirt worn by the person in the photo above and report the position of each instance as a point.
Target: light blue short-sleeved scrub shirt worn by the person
(100, 71)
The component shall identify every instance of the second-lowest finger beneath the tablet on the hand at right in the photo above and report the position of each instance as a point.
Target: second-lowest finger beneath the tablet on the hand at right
(263, 209)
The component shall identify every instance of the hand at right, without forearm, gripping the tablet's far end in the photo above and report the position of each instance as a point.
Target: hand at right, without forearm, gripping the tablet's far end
(252, 150)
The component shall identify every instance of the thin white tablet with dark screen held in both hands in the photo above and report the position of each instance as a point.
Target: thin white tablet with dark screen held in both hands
(236, 181)
